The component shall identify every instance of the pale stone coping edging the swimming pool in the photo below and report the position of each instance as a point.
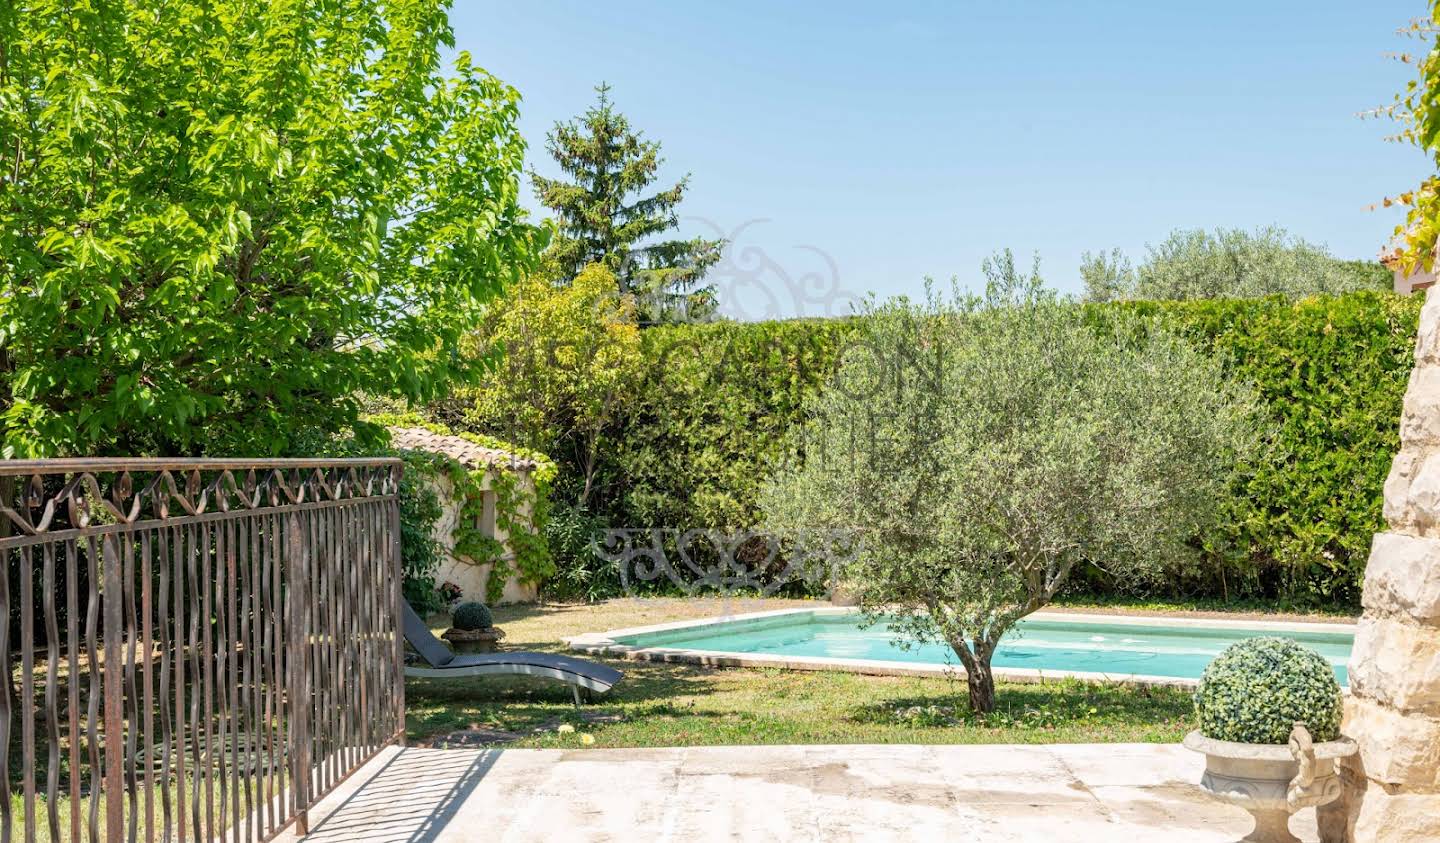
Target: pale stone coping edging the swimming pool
(607, 645)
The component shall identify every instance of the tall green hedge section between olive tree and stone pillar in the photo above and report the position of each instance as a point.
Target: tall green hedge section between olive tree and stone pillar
(1331, 374)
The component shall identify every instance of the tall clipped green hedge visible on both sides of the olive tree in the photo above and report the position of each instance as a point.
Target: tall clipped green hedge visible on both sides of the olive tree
(718, 398)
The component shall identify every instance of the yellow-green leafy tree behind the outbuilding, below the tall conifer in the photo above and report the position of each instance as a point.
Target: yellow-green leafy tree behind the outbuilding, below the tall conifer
(564, 365)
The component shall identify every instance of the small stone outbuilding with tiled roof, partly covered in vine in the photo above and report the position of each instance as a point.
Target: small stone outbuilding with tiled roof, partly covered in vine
(470, 574)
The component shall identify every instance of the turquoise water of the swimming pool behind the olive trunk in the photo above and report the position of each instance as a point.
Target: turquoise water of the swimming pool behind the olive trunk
(1045, 645)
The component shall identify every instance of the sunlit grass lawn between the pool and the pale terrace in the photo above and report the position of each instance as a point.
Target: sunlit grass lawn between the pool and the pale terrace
(680, 705)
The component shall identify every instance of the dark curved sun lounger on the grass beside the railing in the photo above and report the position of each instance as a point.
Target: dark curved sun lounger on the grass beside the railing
(443, 664)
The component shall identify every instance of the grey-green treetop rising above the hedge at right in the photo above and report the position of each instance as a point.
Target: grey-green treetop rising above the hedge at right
(1228, 264)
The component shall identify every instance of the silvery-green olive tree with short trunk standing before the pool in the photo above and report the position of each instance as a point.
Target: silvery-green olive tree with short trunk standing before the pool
(981, 447)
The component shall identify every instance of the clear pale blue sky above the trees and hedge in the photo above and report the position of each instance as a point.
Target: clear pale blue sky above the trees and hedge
(888, 142)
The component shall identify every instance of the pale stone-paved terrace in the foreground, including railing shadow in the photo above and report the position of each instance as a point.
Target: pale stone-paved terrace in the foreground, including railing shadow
(1006, 793)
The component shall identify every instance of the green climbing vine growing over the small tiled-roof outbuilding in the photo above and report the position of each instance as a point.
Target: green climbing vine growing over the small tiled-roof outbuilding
(522, 509)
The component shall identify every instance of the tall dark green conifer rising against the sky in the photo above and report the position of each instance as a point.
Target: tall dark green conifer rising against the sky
(606, 220)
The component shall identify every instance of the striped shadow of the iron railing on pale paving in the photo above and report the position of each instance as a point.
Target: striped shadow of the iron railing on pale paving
(410, 800)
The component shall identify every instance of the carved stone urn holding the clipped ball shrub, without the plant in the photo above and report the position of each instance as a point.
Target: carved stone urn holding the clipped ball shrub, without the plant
(1272, 780)
